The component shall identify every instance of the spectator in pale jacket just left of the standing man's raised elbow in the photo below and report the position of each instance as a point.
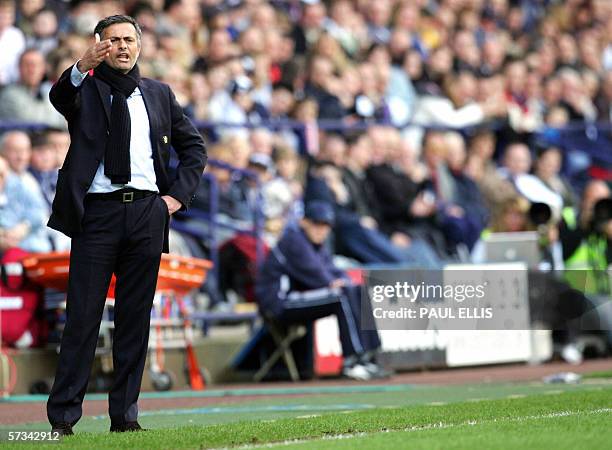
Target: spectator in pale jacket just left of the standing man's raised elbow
(28, 100)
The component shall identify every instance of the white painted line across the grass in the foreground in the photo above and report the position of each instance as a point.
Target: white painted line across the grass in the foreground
(430, 426)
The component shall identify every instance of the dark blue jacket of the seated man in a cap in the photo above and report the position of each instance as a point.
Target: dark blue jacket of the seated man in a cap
(295, 264)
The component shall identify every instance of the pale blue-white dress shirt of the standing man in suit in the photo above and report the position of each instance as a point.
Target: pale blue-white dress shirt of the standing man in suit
(141, 154)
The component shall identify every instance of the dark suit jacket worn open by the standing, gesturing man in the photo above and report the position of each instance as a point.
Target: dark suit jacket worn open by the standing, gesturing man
(87, 110)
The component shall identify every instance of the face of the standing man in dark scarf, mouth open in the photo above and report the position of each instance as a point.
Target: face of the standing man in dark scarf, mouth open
(126, 46)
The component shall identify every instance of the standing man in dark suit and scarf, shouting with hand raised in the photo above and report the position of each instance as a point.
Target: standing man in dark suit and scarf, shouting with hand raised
(114, 198)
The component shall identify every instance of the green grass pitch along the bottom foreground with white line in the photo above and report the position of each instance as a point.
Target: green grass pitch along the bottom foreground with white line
(508, 416)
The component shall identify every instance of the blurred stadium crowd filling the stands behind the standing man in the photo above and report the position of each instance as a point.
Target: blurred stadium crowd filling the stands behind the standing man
(422, 122)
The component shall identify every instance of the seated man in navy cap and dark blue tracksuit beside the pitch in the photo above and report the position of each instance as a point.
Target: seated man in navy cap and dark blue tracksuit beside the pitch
(298, 282)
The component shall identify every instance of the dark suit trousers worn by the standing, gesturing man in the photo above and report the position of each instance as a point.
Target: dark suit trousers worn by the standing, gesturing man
(125, 239)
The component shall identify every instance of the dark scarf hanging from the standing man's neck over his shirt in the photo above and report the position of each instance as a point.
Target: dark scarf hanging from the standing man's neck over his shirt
(117, 154)
